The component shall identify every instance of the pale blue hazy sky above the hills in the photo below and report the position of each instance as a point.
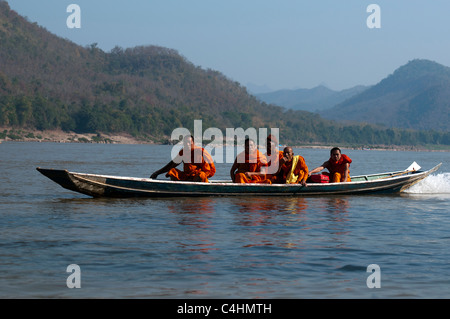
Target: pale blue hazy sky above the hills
(280, 44)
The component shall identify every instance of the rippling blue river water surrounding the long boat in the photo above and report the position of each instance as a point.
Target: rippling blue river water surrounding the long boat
(221, 247)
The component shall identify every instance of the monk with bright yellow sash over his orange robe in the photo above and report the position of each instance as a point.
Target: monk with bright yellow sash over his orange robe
(293, 168)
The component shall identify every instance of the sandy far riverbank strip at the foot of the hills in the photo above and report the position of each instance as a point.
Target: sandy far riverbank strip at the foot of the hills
(8, 134)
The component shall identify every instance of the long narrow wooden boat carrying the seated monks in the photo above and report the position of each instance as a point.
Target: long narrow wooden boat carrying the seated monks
(118, 186)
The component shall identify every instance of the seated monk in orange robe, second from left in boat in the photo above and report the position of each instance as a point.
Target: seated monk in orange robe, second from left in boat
(247, 165)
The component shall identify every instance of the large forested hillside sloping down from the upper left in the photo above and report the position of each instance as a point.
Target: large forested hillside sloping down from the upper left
(47, 82)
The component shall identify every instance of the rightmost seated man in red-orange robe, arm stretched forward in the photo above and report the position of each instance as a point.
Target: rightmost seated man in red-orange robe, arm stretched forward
(338, 166)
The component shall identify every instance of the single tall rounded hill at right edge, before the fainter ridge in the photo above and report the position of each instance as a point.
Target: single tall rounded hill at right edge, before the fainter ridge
(416, 96)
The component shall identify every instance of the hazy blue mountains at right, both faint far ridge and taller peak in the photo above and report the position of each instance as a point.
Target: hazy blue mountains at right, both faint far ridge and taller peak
(415, 96)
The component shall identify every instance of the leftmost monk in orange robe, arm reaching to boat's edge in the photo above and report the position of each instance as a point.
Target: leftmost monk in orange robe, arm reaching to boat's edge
(198, 164)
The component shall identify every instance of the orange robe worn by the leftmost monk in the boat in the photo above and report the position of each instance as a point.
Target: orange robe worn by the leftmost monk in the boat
(199, 168)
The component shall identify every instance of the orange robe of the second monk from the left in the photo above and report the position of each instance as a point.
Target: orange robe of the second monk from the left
(250, 163)
